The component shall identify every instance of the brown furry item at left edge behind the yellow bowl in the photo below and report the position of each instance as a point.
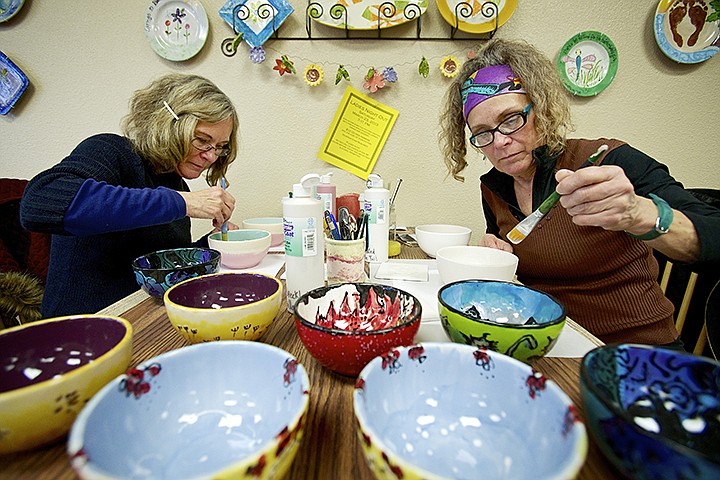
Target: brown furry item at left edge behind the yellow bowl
(20, 298)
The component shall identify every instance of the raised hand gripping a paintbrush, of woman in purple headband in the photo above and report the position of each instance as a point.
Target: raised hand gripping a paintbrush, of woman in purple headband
(603, 196)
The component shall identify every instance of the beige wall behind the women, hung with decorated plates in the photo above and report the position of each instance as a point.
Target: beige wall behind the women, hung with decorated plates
(85, 58)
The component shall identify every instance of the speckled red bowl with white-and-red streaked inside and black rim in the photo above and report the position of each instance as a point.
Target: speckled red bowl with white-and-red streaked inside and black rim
(345, 326)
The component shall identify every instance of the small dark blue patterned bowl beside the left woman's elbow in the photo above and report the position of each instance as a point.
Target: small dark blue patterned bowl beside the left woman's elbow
(156, 272)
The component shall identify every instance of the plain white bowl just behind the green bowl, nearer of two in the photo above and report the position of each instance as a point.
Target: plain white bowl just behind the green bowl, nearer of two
(475, 263)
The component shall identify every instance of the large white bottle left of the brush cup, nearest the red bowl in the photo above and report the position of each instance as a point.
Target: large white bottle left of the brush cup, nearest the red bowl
(304, 240)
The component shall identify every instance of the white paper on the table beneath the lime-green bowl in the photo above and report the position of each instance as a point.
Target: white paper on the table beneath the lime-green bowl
(571, 343)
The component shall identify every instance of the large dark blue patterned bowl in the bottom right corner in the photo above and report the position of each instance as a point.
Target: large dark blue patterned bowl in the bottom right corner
(655, 413)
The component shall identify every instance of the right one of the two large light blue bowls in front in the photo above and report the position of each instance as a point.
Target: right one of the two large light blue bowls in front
(446, 410)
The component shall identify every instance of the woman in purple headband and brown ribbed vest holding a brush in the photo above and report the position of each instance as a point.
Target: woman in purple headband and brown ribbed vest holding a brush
(594, 251)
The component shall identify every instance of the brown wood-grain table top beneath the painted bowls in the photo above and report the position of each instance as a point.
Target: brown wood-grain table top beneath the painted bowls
(330, 447)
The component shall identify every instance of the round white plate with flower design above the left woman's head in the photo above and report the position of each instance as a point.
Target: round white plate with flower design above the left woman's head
(176, 29)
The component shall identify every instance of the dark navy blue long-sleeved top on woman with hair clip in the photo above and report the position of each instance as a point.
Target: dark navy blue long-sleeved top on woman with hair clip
(104, 207)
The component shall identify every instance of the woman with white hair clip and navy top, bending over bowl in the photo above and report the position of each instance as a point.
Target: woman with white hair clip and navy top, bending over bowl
(115, 197)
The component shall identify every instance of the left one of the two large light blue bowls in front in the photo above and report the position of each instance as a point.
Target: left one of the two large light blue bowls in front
(227, 408)
